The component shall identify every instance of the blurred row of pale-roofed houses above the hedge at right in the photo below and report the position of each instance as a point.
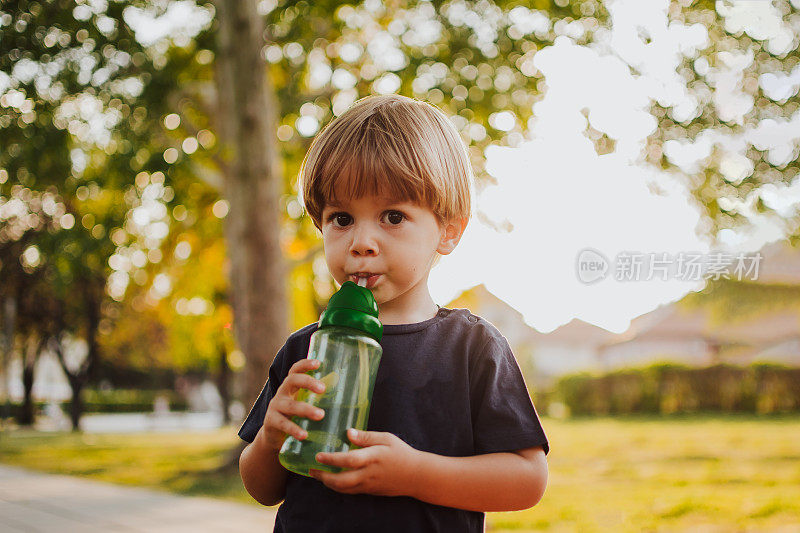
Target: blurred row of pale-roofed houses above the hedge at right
(669, 332)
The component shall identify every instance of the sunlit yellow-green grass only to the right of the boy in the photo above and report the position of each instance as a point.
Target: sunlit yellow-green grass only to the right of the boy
(704, 473)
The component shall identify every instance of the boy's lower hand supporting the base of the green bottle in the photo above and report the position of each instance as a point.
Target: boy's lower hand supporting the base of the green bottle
(384, 466)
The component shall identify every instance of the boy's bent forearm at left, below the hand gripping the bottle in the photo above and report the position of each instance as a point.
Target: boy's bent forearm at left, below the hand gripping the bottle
(263, 476)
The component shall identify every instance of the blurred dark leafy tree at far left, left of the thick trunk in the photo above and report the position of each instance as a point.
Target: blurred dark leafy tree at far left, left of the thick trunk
(73, 67)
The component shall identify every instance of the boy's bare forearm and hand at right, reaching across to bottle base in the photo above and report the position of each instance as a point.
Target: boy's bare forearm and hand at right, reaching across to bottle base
(385, 465)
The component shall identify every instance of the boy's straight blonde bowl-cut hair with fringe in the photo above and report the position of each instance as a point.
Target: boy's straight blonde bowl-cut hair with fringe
(390, 145)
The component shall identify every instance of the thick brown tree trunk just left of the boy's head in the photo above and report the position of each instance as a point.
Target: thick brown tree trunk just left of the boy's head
(247, 111)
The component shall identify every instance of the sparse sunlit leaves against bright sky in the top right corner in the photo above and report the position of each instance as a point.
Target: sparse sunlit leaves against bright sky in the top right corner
(709, 183)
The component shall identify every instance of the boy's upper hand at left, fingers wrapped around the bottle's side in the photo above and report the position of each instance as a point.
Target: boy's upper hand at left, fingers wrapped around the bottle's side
(283, 406)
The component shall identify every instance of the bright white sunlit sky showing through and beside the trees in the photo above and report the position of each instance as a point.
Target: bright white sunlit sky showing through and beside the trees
(561, 196)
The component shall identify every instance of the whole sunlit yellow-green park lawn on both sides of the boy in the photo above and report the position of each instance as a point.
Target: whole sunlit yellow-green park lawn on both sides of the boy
(605, 474)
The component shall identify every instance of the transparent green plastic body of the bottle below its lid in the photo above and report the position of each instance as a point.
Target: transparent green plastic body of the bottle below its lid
(349, 365)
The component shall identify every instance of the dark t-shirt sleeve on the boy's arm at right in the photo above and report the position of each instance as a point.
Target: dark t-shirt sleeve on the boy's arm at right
(503, 416)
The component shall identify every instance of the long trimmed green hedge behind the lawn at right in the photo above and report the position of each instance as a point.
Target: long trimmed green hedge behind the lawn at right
(668, 388)
